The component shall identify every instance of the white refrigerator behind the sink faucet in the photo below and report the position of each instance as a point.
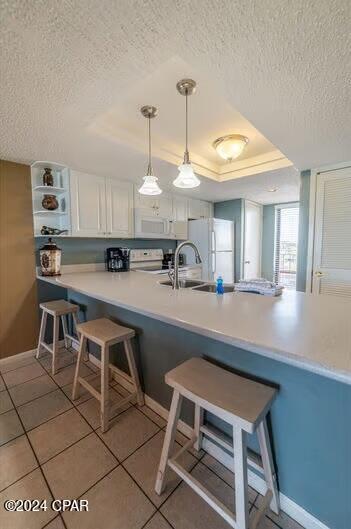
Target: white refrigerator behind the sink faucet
(215, 241)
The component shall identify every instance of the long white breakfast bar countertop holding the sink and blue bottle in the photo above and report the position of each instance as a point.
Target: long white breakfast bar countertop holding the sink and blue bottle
(310, 332)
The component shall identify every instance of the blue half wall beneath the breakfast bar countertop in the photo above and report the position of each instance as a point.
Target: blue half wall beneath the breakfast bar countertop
(310, 418)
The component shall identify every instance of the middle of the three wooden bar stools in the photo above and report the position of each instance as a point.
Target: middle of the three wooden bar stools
(105, 333)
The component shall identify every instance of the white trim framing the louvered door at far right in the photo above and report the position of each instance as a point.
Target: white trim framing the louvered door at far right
(312, 215)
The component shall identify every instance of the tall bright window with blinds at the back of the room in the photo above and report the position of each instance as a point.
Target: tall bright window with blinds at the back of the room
(285, 247)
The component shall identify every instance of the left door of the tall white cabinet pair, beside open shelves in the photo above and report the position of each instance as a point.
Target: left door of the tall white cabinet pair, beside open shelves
(88, 205)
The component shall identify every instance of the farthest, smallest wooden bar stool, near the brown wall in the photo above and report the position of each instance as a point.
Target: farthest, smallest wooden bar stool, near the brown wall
(59, 310)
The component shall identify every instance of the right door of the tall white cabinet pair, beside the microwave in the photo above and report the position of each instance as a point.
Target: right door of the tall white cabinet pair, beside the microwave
(119, 202)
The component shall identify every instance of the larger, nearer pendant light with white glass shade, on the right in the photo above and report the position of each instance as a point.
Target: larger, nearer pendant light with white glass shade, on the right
(186, 178)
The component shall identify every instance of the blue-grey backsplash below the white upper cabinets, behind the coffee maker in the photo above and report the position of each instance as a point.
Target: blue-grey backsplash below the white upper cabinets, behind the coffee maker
(81, 250)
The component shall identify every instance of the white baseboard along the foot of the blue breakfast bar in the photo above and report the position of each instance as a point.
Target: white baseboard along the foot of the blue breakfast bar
(292, 509)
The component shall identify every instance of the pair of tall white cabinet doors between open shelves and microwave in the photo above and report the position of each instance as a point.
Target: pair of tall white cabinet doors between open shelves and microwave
(100, 207)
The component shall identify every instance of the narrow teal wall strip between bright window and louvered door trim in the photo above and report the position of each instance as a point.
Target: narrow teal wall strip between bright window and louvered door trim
(303, 231)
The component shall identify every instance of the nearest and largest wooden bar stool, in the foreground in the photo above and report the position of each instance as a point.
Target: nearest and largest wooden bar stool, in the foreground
(242, 403)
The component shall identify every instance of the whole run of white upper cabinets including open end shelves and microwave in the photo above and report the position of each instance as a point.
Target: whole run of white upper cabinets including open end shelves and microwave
(87, 205)
